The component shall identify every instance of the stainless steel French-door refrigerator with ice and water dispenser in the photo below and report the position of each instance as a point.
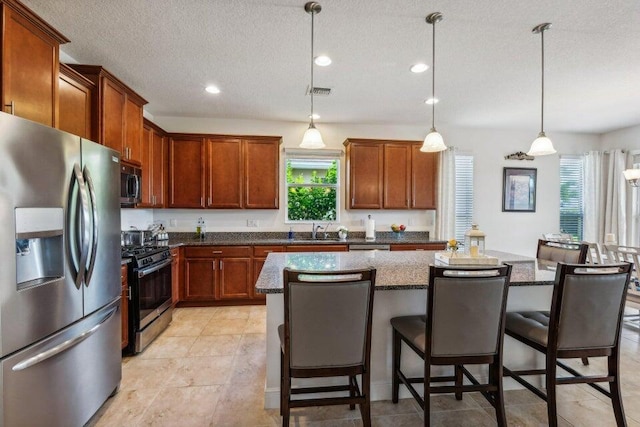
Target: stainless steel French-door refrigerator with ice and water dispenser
(60, 320)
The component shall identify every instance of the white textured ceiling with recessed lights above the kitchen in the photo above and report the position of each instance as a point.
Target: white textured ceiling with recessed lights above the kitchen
(257, 53)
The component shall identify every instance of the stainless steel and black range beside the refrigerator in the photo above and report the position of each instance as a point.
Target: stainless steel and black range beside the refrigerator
(150, 310)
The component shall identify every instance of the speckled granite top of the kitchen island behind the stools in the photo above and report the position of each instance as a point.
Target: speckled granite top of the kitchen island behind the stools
(395, 269)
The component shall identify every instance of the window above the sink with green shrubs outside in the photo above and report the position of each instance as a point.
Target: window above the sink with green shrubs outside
(312, 187)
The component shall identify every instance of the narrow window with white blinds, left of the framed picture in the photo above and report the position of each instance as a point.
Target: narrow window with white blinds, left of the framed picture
(464, 194)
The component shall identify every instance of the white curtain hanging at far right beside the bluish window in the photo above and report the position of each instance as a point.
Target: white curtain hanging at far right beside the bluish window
(607, 197)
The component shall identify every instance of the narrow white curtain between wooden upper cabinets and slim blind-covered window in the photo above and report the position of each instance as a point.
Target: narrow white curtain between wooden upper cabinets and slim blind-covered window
(446, 213)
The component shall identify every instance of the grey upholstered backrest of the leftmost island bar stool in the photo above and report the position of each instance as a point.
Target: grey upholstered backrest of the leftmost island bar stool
(329, 317)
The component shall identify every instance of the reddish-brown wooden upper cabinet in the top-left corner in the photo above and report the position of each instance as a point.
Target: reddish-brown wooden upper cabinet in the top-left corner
(30, 52)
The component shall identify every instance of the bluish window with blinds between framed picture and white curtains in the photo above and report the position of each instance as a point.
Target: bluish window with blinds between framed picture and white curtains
(571, 196)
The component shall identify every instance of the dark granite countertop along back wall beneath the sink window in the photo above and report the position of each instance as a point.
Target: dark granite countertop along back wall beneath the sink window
(280, 239)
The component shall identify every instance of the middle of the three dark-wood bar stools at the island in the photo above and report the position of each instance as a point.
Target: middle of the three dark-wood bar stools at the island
(463, 325)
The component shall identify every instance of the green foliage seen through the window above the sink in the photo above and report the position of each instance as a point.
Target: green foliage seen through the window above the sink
(315, 202)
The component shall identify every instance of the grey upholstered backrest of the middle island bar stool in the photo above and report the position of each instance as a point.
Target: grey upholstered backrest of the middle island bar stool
(466, 310)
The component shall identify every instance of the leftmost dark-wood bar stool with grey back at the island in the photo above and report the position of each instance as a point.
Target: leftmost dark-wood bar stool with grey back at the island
(326, 333)
